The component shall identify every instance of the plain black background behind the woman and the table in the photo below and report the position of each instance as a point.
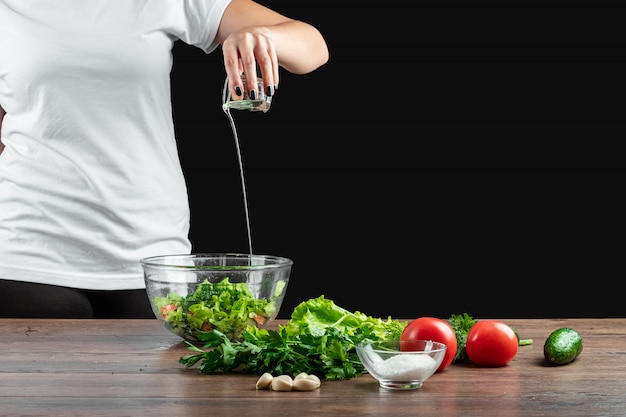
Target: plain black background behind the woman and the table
(451, 157)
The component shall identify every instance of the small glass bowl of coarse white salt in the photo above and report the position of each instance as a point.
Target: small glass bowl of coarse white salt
(401, 364)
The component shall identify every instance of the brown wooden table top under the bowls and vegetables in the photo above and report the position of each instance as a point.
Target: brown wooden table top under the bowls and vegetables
(131, 368)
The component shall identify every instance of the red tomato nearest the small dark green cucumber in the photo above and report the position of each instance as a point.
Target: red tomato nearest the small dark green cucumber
(491, 343)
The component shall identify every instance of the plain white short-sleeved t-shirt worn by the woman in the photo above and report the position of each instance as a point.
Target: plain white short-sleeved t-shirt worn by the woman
(90, 179)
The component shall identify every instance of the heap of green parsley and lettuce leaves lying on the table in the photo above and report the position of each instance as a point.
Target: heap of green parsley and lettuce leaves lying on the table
(319, 339)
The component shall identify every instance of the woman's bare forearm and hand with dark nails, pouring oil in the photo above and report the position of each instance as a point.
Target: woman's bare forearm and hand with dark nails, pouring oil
(254, 36)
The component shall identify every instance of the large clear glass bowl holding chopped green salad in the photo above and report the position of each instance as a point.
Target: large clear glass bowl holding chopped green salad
(215, 291)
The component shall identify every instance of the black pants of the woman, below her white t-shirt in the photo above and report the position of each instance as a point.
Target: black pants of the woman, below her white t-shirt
(27, 300)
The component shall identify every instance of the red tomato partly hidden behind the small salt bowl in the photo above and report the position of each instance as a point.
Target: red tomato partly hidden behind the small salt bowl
(432, 328)
